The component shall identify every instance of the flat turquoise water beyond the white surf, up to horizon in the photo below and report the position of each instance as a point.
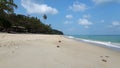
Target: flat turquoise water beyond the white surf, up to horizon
(102, 38)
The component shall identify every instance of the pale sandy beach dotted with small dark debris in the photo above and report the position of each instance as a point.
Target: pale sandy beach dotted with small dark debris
(53, 51)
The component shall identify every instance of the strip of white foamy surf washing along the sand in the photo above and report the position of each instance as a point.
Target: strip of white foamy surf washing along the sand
(97, 43)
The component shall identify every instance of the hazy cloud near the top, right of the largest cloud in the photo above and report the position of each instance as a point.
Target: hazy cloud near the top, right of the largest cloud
(77, 6)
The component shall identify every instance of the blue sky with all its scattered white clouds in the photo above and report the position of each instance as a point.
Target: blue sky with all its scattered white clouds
(86, 17)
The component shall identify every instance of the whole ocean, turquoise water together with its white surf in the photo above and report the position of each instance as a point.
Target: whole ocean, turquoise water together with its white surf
(111, 41)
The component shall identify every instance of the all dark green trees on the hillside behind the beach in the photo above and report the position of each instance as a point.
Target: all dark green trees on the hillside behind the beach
(11, 22)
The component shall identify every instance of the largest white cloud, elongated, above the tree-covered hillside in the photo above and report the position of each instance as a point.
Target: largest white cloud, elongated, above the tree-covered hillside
(34, 8)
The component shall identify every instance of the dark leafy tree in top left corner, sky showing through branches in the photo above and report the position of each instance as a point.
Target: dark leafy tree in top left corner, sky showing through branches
(6, 8)
